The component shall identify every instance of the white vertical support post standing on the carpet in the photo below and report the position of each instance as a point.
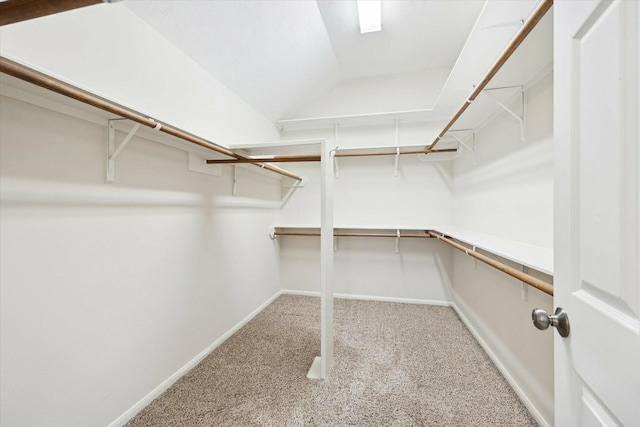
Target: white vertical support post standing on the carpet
(322, 365)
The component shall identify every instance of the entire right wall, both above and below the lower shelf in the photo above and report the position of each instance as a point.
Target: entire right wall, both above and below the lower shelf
(509, 193)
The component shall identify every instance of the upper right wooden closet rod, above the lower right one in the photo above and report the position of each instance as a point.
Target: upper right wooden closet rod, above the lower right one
(537, 15)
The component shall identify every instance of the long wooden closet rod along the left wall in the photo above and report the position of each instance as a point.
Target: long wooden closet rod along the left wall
(29, 75)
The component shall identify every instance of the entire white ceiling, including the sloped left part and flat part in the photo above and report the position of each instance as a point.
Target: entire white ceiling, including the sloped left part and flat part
(276, 54)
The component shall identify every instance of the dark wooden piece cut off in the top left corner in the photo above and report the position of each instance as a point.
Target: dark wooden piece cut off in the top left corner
(13, 11)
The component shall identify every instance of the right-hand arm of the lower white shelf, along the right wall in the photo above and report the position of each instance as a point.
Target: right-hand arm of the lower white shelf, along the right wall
(535, 257)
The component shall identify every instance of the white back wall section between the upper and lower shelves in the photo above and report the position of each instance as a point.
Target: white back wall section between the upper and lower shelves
(366, 190)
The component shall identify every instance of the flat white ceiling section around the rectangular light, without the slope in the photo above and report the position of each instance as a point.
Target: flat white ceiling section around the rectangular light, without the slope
(415, 35)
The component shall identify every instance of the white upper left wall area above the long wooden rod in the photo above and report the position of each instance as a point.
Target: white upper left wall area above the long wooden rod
(107, 49)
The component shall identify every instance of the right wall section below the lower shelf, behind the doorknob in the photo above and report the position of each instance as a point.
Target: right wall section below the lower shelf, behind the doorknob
(497, 308)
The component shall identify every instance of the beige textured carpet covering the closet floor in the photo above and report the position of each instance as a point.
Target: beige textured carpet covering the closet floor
(395, 365)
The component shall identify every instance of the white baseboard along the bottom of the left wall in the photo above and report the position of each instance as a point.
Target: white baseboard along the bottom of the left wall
(131, 412)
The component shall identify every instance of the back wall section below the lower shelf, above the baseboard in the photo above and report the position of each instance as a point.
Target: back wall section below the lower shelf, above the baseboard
(368, 267)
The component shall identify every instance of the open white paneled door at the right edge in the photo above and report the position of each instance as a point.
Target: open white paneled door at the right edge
(596, 115)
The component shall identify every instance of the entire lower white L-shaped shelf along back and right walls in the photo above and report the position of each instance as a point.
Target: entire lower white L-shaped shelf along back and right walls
(531, 256)
